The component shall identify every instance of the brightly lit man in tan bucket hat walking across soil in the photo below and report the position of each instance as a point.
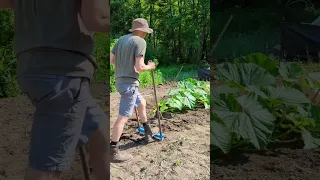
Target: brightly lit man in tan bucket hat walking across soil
(128, 58)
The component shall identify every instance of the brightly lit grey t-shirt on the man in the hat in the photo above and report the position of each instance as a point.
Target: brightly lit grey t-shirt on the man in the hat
(126, 50)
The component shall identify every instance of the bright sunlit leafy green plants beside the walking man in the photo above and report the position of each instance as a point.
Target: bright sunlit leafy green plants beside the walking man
(190, 94)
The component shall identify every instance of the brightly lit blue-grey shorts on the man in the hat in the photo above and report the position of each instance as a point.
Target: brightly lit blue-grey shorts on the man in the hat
(130, 98)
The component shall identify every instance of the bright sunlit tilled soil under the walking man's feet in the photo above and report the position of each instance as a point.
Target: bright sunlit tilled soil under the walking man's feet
(184, 154)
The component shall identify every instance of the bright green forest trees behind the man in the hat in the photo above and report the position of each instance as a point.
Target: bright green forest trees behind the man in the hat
(181, 28)
